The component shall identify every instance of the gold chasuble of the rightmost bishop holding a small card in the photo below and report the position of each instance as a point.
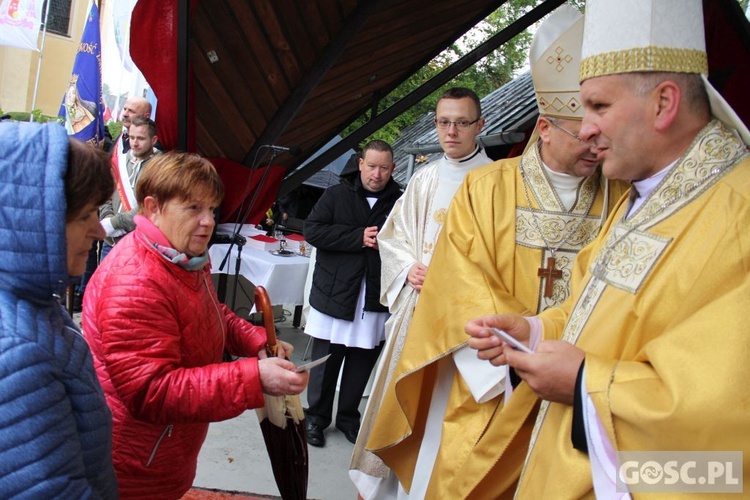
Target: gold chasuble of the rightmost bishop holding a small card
(662, 313)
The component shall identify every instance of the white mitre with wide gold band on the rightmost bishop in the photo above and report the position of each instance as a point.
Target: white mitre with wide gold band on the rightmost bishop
(648, 36)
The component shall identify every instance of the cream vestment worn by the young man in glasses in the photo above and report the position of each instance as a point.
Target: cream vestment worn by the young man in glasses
(408, 236)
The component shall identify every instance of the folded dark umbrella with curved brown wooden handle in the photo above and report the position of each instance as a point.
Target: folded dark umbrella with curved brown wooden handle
(282, 422)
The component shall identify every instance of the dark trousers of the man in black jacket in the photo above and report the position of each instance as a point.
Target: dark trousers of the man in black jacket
(321, 390)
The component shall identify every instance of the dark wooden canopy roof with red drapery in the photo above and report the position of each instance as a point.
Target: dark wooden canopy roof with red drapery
(232, 75)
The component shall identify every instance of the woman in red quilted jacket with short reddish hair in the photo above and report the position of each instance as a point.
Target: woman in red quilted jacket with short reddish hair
(157, 332)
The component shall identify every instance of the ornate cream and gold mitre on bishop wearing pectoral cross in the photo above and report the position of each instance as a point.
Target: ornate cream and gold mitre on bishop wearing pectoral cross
(554, 57)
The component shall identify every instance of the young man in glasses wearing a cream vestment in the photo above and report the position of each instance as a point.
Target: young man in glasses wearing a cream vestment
(407, 242)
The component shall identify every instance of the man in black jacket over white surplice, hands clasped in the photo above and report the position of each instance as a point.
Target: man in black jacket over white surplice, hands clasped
(346, 318)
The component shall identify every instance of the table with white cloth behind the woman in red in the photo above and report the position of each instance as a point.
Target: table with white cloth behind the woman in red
(283, 277)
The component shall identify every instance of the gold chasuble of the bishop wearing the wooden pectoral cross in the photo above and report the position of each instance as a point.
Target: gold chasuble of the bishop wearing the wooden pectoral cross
(487, 260)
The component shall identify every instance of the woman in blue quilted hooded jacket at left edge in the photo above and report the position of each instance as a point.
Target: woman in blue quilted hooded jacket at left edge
(55, 427)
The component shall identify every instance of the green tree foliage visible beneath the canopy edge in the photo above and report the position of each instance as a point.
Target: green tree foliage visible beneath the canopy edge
(487, 75)
